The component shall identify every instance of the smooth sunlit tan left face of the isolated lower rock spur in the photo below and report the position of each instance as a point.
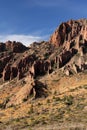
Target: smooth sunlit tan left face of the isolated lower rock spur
(23, 93)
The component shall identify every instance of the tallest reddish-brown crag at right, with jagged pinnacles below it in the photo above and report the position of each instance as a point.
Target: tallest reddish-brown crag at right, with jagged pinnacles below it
(72, 37)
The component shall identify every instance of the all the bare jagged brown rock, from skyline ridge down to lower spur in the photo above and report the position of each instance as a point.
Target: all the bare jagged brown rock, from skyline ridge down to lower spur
(66, 51)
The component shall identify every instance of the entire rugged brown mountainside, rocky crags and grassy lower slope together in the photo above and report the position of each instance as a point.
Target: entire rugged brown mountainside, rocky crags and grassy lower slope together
(45, 83)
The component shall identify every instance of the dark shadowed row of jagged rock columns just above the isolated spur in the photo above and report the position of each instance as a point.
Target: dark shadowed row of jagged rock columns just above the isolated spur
(26, 65)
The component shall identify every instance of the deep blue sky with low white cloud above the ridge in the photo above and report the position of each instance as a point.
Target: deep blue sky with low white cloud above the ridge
(35, 20)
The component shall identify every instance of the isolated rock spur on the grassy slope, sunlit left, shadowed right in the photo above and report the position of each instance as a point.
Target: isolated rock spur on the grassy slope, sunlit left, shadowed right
(31, 90)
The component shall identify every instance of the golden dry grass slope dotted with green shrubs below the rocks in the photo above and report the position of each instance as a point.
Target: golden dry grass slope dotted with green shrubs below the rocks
(67, 98)
